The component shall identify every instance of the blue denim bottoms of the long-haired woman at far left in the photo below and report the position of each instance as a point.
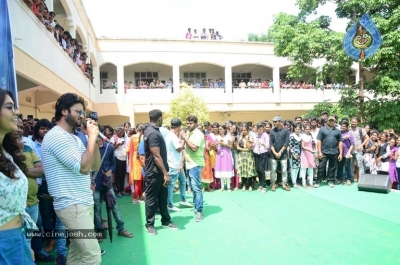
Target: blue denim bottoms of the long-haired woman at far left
(14, 249)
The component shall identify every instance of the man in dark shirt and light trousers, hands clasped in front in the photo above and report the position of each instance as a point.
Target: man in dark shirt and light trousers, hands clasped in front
(279, 141)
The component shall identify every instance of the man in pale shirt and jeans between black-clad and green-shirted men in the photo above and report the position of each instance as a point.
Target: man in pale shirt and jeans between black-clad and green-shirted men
(175, 149)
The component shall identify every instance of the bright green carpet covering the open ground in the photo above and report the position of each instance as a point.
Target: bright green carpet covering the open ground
(303, 226)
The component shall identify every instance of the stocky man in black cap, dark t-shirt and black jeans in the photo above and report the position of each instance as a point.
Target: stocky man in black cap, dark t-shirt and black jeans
(330, 149)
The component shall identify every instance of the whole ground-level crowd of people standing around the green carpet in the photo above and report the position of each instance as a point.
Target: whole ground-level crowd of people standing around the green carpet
(56, 174)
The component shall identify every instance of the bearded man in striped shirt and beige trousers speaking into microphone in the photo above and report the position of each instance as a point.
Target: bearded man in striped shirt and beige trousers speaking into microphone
(67, 165)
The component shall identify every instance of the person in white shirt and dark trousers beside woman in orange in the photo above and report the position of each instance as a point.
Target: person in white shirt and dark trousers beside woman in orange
(118, 141)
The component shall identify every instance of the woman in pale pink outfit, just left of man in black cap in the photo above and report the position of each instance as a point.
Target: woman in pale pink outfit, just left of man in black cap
(307, 156)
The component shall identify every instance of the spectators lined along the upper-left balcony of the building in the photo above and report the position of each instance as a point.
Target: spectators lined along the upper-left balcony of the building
(69, 44)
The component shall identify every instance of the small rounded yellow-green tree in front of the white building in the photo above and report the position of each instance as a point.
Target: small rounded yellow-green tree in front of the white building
(186, 103)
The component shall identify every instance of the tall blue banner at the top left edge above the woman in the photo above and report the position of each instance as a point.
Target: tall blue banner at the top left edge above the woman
(7, 67)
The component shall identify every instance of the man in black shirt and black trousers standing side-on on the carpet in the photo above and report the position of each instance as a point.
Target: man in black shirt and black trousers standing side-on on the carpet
(157, 177)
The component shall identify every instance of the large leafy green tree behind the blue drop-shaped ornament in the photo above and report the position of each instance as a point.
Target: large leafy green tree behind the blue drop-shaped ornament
(303, 40)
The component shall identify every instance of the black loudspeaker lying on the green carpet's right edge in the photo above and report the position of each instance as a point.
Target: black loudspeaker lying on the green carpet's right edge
(374, 183)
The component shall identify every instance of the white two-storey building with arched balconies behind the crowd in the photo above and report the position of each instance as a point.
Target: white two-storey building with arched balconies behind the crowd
(45, 71)
